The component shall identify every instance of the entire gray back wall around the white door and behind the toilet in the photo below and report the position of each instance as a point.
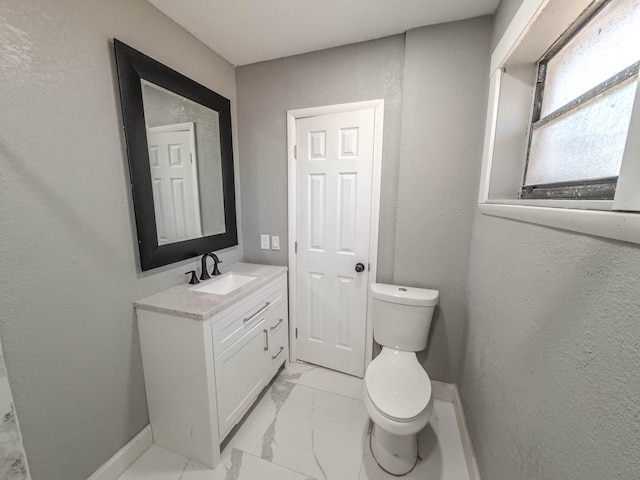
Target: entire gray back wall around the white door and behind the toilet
(434, 115)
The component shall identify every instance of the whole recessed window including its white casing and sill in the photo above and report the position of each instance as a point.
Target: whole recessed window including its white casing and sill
(562, 143)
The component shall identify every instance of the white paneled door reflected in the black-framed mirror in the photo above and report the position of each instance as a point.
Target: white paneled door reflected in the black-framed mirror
(174, 179)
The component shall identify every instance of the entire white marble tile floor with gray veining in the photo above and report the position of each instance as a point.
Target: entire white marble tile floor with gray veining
(310, 424)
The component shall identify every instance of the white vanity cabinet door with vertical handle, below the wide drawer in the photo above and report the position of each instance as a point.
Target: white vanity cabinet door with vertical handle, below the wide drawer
(240, 376)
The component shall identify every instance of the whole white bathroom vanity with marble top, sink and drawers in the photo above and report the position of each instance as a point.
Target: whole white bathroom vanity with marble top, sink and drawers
(208, 350)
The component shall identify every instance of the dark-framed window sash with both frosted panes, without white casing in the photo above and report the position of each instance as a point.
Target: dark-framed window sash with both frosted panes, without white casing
(585, 89)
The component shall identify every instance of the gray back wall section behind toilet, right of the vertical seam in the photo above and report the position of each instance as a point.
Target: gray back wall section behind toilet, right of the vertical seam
(445, 88)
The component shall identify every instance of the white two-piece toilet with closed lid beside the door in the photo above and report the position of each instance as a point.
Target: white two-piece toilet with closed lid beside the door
(397, 390)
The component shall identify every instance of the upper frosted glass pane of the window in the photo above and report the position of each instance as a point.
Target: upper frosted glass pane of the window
(605, 46)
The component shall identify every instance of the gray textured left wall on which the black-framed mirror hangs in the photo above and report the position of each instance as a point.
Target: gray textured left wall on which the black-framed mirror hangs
(68, 254)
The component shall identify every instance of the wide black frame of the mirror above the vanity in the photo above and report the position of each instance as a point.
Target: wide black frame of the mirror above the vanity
(133, 66)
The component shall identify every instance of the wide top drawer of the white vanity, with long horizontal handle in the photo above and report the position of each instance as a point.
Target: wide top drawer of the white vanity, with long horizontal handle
(235, 324)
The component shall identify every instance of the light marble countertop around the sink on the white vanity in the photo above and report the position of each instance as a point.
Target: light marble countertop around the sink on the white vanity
(184, 302)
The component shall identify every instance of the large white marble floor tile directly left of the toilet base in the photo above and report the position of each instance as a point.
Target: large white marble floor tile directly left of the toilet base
(317, 433)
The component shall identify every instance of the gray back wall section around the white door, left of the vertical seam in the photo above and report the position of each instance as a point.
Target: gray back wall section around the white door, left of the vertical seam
(364, 71)
